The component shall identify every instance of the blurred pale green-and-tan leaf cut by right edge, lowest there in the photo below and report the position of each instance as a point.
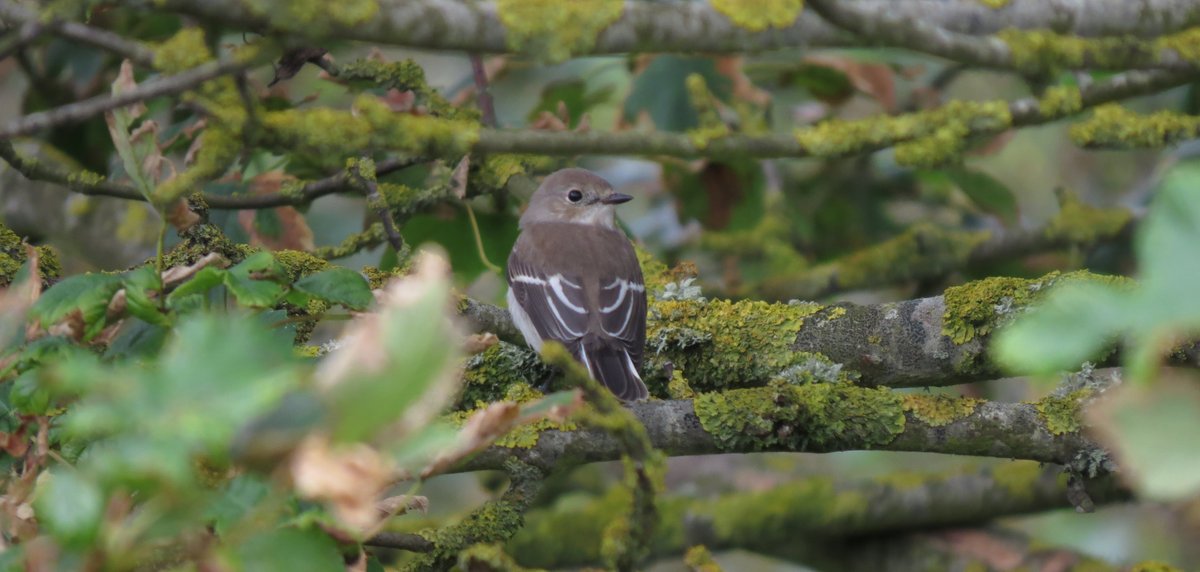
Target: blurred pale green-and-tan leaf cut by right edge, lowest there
(1153, 435)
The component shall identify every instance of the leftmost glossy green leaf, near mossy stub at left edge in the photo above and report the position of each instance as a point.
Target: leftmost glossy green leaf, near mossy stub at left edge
(88, 294)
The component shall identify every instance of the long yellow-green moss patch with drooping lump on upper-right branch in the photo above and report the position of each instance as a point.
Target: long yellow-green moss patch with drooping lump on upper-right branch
(934, 137)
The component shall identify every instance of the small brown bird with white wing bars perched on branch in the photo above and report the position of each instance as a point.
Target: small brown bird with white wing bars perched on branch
(575, 279)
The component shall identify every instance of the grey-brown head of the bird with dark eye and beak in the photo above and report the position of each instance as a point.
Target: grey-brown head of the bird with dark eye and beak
(574, 196)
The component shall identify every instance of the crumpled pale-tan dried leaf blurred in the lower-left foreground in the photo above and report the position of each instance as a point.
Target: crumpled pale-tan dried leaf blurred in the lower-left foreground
(347, 479)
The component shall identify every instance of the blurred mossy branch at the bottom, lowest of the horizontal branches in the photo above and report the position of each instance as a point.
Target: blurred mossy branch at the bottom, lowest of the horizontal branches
(814, 513)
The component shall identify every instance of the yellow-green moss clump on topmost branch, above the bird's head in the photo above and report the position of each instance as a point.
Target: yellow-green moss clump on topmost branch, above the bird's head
(555, 31)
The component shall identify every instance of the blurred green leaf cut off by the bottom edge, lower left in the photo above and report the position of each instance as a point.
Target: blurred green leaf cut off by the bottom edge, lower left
(292, 550)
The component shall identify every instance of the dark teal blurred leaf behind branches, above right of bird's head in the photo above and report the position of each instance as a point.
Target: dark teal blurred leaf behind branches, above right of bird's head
(662, 92)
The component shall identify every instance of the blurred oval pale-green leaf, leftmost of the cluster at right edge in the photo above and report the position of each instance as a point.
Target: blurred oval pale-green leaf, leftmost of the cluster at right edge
(1072, 326)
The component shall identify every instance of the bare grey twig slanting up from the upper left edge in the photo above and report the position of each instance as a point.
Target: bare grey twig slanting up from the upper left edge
(85, 110)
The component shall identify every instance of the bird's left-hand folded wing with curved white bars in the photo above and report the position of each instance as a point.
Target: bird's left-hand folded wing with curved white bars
(555, 303)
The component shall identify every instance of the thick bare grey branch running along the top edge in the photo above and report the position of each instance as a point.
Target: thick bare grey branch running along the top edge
(698, 27)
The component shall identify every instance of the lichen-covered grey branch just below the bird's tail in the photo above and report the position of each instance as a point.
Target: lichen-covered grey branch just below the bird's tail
(825, 418)
